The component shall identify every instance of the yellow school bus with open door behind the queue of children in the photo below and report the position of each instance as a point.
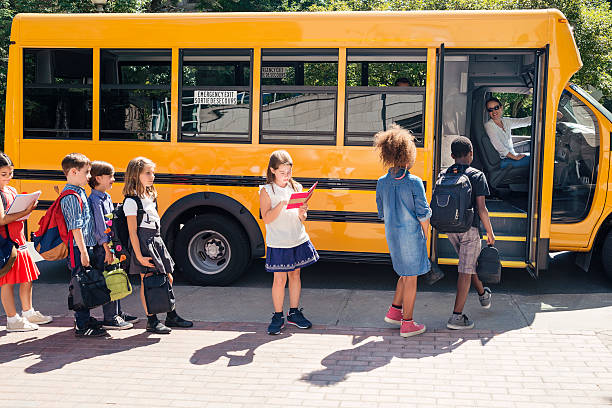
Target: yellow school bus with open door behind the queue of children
(208, 97)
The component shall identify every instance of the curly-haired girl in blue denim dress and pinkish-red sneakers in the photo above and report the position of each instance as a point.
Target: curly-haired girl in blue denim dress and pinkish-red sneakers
(401, 202)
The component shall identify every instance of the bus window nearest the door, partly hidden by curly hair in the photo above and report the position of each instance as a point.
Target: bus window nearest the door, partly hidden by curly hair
(384, 87)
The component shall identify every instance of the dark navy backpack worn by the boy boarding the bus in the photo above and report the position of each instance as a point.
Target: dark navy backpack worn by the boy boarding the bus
(451, 202)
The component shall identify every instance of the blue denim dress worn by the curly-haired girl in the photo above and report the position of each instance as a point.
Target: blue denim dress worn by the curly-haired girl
(402, 205)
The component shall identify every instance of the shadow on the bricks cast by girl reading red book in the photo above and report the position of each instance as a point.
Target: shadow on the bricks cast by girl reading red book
(232, 349)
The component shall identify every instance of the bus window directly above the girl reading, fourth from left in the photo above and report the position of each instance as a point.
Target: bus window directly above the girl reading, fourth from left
(298, 96)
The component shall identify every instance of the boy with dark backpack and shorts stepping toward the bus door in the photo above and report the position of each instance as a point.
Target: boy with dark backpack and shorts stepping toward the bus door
(458, 205)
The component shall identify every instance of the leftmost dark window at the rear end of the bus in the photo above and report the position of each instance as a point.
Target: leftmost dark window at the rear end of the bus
(57, 93)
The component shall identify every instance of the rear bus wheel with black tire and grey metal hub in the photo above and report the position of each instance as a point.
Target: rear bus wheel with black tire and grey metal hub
(212, 249)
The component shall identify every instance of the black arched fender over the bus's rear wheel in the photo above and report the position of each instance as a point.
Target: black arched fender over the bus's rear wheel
(191, 202)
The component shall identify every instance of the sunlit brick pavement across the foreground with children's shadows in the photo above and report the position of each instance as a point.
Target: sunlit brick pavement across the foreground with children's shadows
(239, 365)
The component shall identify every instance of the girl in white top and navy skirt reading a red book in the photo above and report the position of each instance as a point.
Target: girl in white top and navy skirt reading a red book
(288, 246)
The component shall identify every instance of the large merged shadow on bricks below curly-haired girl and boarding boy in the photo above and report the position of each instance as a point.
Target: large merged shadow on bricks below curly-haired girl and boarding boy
(375, 354)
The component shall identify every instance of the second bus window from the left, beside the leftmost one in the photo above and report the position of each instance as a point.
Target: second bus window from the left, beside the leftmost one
(135, 95)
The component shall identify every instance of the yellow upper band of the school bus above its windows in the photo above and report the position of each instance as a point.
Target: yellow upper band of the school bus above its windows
(407, 29)
